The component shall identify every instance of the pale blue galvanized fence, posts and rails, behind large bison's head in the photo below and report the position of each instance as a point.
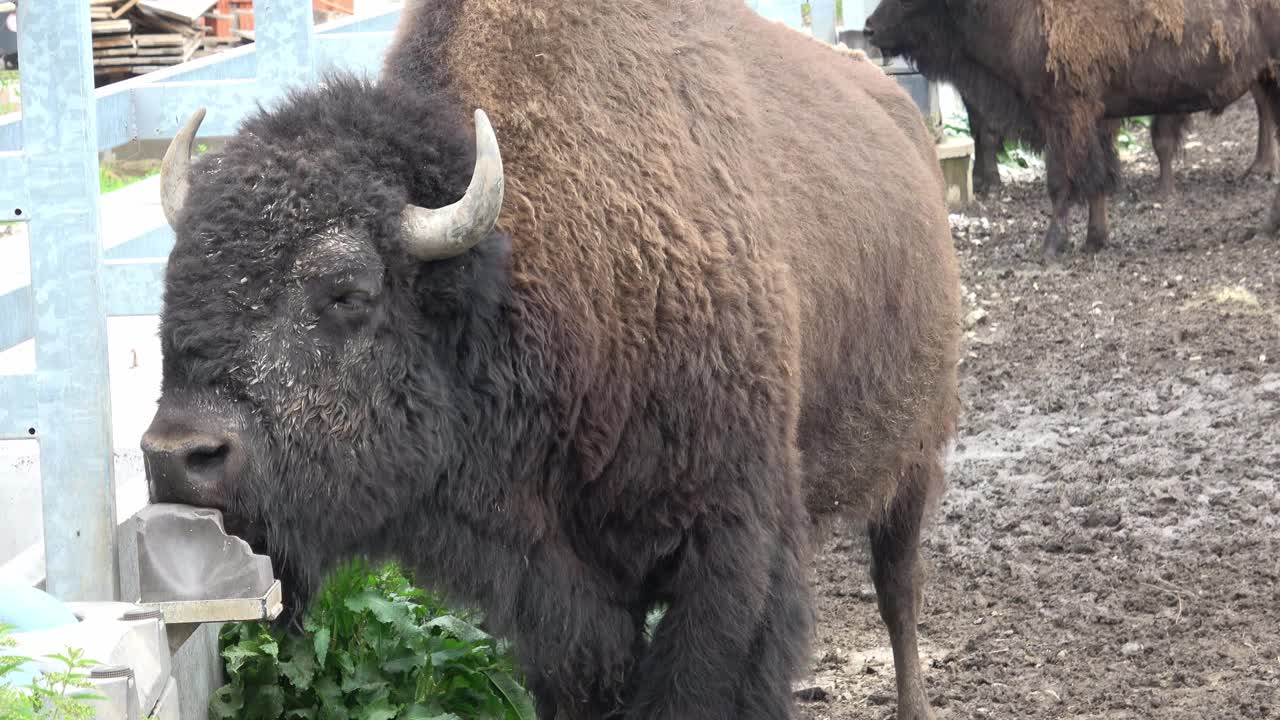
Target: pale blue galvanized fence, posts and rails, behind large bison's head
(49, 161)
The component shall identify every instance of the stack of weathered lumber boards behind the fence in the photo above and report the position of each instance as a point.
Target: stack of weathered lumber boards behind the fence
(134, 38)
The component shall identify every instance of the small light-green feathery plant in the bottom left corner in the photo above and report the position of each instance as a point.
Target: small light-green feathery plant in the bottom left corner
(54, 695)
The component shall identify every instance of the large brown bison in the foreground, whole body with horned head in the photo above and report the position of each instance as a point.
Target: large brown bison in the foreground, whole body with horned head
(625, 347)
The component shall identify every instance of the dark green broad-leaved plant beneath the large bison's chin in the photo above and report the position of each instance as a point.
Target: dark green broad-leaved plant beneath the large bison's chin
(373, 648)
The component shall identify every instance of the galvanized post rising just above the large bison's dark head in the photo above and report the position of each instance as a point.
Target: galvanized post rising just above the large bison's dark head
(285, 39)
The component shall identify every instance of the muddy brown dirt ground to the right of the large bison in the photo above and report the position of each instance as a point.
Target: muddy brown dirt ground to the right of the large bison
(1110, 541)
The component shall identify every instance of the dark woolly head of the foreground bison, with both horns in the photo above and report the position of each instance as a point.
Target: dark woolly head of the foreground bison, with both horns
(335, 272)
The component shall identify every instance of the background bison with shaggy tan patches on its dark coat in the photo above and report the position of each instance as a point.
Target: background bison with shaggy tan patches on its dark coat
(1072, 70)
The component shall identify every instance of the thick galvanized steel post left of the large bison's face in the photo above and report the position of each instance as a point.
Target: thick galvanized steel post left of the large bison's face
(60, 131)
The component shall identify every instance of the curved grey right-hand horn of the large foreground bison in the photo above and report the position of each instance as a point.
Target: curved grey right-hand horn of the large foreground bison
(451, 231)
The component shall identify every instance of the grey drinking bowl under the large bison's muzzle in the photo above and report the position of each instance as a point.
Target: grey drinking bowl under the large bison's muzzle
(193, 572)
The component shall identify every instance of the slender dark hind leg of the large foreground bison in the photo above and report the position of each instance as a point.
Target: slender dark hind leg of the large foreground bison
(897, 571)
